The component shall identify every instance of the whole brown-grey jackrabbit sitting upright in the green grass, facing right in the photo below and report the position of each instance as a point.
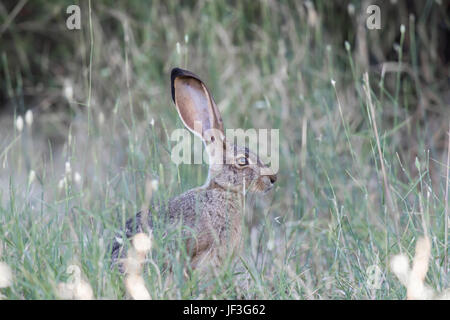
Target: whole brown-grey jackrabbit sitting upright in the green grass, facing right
(213, 212)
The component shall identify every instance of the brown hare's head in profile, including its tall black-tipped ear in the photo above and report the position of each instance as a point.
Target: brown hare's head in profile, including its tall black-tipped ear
(234, 168)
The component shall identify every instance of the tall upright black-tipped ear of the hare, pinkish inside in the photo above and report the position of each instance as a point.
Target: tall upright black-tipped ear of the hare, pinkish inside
(195, 105)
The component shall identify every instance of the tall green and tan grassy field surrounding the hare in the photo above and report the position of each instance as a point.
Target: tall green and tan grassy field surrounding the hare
(363, 161)
